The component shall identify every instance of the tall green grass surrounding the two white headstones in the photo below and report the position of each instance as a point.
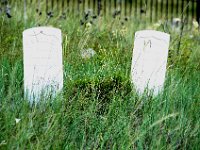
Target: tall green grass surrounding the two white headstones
(100, 109)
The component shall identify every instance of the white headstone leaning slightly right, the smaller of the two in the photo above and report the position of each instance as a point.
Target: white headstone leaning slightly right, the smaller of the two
(149, 60)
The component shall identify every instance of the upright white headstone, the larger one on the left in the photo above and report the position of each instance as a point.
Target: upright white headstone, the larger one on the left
(43, 69)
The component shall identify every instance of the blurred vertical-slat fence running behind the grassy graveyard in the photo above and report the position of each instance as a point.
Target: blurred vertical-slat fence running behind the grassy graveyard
(150, 9)
